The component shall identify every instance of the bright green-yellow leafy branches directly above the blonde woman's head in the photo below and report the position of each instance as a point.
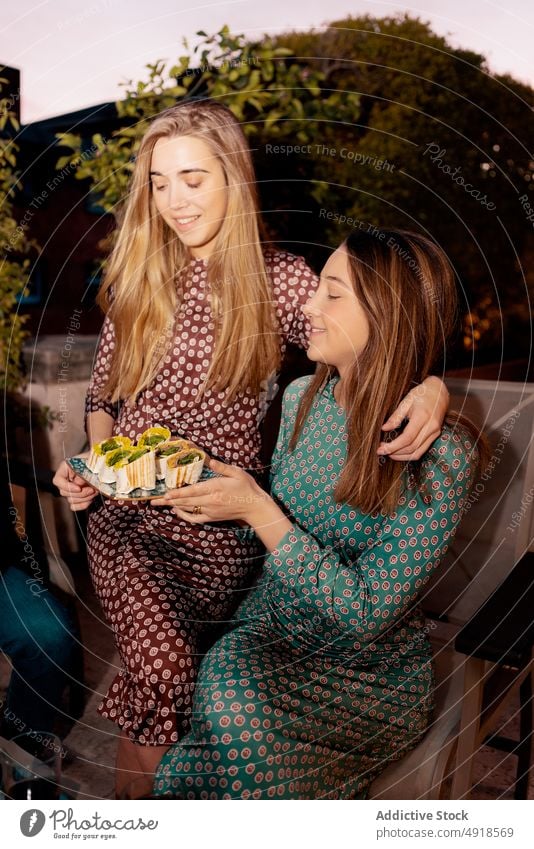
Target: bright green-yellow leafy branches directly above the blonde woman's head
(274, 96)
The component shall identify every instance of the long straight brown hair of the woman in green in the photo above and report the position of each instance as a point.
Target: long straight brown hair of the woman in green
(406, 287)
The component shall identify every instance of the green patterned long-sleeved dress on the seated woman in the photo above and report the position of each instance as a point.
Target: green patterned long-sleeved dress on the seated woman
(328, 676)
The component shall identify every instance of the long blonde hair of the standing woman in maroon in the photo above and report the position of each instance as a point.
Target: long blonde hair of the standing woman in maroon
(139, 291)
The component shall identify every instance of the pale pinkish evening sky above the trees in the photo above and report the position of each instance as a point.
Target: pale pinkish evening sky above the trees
(73, 55)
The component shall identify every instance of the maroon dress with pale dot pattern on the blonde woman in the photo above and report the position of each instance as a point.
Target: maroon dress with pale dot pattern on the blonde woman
(164, 585)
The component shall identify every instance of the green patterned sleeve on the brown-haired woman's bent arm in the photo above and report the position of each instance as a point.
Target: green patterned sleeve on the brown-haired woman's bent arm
(374, 591)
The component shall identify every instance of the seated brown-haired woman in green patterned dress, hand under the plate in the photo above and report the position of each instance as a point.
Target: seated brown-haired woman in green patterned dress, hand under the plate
(328, 675)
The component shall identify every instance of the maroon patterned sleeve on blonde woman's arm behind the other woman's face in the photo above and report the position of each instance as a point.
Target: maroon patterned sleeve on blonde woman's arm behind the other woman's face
(293, 284)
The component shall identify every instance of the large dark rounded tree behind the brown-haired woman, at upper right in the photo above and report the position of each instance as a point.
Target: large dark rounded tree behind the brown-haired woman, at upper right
(457, 140)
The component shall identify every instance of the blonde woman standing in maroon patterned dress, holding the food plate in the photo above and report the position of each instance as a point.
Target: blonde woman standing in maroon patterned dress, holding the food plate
(198, 315)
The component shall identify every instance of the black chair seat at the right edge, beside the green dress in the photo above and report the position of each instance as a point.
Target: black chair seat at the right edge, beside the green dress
(502, 630)
